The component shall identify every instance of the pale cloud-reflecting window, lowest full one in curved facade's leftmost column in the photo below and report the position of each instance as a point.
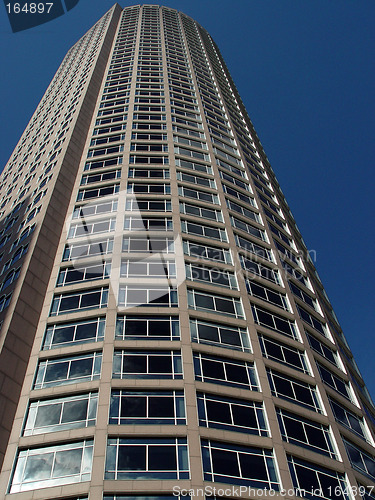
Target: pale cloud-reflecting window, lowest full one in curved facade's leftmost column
(52, 466)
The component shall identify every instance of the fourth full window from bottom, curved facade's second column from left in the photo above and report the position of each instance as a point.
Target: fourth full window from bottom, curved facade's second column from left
(147, 327)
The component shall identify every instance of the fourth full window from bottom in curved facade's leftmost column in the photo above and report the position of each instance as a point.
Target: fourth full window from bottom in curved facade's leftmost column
(63, 334)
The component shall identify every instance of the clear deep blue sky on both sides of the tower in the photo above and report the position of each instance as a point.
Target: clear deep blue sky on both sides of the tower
(306, 73)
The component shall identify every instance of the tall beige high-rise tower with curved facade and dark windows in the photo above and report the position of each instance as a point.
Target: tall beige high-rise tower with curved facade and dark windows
(162, 326)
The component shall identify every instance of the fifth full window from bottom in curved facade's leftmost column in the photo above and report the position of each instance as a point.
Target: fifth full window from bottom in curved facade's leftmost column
(75, 301)
